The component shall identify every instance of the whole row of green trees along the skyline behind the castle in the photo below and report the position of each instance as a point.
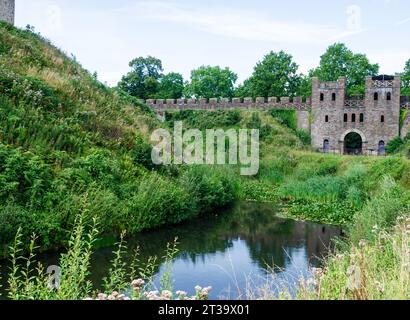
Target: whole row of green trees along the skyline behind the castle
(276, 75)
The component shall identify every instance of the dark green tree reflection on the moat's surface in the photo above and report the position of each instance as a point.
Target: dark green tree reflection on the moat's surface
(267, 237)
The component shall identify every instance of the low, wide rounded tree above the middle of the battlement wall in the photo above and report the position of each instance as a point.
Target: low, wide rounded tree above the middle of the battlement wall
(211, 82)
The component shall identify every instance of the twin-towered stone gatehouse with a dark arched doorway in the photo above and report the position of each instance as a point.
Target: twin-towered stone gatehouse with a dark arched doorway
(355, 126)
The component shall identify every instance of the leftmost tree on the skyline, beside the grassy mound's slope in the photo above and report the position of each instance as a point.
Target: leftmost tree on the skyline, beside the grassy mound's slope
(143, 80)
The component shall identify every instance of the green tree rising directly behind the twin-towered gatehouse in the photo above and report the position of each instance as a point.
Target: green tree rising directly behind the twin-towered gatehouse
(339, 61)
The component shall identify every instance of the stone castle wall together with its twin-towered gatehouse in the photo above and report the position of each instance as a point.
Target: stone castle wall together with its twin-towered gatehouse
(328, 115)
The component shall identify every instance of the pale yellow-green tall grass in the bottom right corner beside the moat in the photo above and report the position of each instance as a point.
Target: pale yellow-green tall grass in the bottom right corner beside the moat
(371, 270)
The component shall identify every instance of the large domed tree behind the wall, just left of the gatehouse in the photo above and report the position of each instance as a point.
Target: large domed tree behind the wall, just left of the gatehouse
(275, 76)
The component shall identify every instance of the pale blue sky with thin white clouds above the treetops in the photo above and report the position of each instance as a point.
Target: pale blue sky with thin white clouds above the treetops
(105, 35)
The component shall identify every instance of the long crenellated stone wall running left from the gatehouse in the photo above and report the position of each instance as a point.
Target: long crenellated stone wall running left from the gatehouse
(297, 103)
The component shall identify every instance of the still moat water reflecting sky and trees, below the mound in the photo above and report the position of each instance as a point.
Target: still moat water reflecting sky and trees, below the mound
(247, 246)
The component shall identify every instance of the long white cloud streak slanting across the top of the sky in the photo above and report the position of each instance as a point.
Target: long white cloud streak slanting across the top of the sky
(235, 23)
